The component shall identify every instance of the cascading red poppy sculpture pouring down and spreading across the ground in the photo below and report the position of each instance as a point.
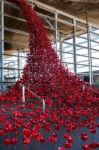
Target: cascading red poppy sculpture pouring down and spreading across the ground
(70, 102)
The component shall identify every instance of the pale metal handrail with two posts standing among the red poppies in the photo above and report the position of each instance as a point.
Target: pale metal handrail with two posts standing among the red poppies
(23, 96)
